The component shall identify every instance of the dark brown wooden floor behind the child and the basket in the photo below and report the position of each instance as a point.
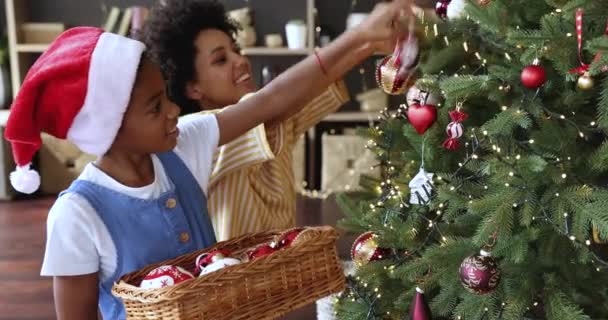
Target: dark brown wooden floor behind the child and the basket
(24, 295)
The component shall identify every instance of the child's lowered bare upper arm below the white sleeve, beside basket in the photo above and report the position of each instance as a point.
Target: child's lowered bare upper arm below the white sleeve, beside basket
(76, 297)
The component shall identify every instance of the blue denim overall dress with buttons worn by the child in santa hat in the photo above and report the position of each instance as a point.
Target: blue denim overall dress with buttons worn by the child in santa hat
(149, 231)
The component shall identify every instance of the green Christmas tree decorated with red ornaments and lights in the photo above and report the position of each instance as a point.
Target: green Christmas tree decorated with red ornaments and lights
(493, 199)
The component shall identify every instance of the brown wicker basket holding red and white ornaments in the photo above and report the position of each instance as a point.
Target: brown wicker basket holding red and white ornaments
(266, 288)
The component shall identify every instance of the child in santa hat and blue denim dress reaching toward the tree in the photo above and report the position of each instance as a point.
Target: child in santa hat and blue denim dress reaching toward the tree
(144, 199)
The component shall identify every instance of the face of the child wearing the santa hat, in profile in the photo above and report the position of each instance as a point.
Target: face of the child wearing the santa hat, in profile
(150, 122)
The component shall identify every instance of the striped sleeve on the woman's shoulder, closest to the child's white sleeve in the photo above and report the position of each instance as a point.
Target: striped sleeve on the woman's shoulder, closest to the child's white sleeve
(247, 150)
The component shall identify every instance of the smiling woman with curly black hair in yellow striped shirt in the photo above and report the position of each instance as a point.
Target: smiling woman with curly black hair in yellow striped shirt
(252, 185)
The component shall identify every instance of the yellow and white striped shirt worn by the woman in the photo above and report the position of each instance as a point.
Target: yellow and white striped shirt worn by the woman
(252, 185)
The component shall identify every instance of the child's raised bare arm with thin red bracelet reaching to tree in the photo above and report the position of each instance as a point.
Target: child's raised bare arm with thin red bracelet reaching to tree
(294, 88)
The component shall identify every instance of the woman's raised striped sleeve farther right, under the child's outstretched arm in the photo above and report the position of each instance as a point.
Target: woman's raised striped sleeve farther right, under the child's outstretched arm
(328, 102)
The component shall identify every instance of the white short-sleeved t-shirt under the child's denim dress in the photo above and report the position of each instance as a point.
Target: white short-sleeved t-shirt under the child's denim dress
(79, 243)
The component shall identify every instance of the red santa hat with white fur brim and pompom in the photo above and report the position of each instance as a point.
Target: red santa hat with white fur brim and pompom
(77, 90)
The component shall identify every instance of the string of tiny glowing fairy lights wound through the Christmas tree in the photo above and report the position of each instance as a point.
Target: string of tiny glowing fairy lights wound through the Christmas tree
(389, 190)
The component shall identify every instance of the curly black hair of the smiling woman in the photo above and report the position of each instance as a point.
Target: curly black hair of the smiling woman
(170, 33)
